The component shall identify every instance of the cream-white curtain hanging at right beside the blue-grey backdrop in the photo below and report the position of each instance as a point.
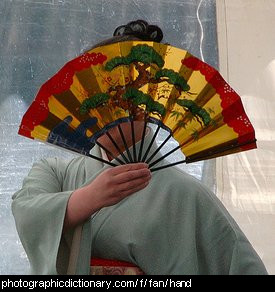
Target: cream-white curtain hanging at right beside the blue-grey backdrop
(246, 181)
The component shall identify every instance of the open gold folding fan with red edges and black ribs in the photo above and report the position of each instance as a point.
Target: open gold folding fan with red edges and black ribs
(140, 80)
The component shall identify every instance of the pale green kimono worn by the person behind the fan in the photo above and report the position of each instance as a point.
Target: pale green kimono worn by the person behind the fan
(173, 226)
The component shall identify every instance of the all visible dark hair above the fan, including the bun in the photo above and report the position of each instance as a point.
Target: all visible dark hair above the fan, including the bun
(134, 30)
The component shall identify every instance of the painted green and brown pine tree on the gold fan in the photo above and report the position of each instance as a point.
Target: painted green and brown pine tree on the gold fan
(130, 98)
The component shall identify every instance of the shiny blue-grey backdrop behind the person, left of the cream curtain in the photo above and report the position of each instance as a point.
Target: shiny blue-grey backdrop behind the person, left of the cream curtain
(37, 38)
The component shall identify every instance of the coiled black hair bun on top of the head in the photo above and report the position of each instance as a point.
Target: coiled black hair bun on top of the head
(140, 29)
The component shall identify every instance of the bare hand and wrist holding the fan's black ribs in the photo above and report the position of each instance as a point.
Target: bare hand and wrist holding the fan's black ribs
(109, 188)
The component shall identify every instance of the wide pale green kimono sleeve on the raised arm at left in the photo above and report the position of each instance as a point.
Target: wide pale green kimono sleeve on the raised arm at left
(39, 209)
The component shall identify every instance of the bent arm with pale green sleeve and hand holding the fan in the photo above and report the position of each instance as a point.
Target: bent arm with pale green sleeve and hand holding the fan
(43, 211)
